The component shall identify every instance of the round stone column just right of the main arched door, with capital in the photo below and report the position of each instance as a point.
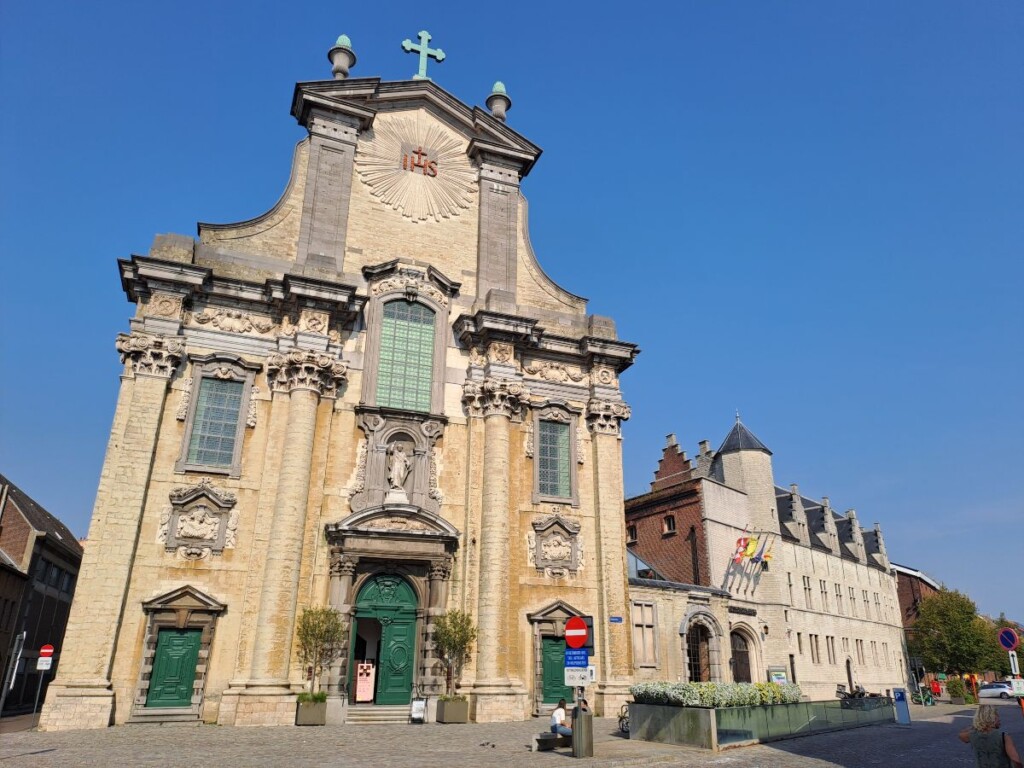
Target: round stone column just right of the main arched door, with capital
(496, 696)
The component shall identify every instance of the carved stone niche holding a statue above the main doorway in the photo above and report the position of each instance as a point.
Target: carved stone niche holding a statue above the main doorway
(398, 461)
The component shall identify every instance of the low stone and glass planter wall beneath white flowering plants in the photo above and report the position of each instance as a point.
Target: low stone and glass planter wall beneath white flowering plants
(740, 727)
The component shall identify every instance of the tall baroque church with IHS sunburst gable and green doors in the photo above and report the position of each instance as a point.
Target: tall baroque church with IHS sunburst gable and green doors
(372, 398)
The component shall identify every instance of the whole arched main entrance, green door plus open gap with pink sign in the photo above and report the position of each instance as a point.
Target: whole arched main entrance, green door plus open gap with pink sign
(383, 643)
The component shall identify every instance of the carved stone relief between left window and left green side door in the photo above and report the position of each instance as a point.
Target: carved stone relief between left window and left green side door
(200, 521)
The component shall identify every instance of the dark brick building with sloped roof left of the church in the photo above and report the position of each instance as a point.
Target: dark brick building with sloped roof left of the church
(39, 564)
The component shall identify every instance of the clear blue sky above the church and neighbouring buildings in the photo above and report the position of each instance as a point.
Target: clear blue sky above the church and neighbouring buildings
(809, 211)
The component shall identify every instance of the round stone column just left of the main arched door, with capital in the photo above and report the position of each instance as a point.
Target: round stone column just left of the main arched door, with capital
(304, 377)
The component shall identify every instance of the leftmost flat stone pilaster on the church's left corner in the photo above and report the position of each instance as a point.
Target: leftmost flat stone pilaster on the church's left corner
(81, 697)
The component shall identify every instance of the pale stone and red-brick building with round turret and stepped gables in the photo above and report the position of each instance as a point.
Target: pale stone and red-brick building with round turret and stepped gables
(734, 579)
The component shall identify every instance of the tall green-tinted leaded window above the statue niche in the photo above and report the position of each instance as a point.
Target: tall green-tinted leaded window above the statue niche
(407, 357)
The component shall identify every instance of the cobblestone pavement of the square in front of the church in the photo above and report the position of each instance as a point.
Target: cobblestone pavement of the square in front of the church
(929, 743)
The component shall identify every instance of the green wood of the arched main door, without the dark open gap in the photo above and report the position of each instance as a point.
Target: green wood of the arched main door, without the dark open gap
(392, 602)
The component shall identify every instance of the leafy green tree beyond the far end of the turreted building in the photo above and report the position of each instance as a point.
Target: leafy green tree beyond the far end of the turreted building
(949, 634)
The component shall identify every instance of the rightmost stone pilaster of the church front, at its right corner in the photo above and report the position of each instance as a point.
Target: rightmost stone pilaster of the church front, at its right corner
(615, 655)
